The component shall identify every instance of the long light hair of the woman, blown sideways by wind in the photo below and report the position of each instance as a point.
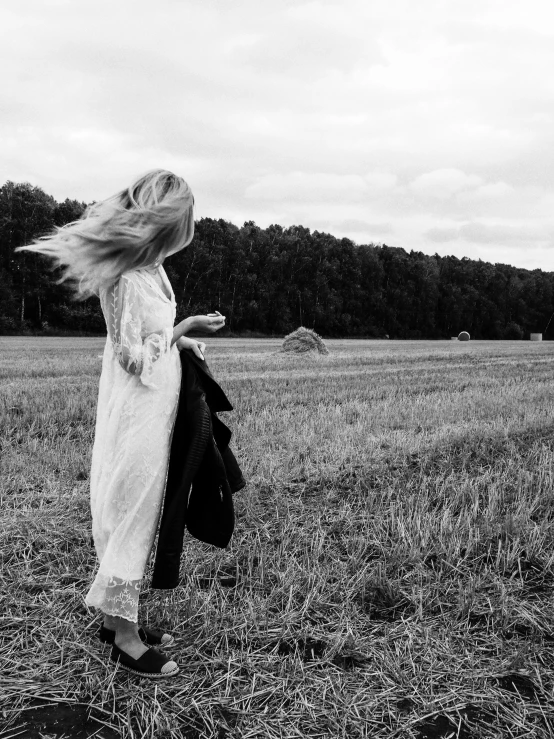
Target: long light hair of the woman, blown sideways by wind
(130, 230)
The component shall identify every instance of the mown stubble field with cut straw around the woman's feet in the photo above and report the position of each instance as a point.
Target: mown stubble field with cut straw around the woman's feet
(391, 572)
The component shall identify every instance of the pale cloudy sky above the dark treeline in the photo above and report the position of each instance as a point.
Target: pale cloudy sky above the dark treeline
(426, 125)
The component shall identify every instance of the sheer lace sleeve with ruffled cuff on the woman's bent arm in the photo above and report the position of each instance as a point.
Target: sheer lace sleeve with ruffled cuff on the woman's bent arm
(136, 355)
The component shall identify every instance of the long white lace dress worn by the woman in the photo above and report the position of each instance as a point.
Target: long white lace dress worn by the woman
(137, 403)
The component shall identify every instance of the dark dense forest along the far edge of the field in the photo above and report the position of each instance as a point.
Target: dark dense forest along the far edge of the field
(267, 282)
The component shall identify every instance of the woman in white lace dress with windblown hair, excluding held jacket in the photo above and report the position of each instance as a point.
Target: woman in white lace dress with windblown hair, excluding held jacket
(116, 251)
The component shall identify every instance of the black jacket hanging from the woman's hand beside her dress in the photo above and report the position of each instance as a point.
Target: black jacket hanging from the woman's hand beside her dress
(202, 473)
